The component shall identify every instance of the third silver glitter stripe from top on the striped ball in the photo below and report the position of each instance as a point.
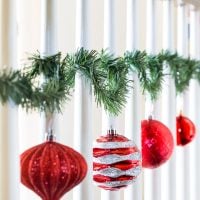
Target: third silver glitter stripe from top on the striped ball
(114, 172)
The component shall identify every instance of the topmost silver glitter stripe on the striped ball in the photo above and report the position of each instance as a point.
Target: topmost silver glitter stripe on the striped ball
(113, 145)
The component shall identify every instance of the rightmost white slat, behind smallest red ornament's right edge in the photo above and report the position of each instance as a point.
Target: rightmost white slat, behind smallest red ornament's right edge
(193, 102)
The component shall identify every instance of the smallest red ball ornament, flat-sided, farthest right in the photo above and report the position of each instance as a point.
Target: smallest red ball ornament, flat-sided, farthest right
(185, 130)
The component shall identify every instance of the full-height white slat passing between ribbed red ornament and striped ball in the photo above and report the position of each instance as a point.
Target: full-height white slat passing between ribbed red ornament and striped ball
(83, 106)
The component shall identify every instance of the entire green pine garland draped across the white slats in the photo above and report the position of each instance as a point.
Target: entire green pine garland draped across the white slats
(46, 83)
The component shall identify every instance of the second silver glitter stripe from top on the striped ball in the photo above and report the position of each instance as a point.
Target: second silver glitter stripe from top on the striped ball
(114, 158)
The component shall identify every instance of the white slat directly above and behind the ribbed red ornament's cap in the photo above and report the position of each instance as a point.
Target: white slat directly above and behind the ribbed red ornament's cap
(48, 47)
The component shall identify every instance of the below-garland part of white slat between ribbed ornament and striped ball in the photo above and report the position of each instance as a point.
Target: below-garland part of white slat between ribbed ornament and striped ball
(83, 134)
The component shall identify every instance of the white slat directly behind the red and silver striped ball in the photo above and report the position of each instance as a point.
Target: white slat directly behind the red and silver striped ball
(108, 121)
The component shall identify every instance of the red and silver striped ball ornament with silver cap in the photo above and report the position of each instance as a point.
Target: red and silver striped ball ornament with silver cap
(116, 161)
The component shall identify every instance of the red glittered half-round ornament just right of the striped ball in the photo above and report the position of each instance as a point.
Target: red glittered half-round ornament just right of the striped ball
(157, 143)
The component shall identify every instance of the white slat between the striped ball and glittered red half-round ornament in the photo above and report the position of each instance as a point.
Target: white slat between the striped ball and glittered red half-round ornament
(133, 108)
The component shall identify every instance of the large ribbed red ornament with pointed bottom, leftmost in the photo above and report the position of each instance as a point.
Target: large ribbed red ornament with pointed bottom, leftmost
(52, 169)
